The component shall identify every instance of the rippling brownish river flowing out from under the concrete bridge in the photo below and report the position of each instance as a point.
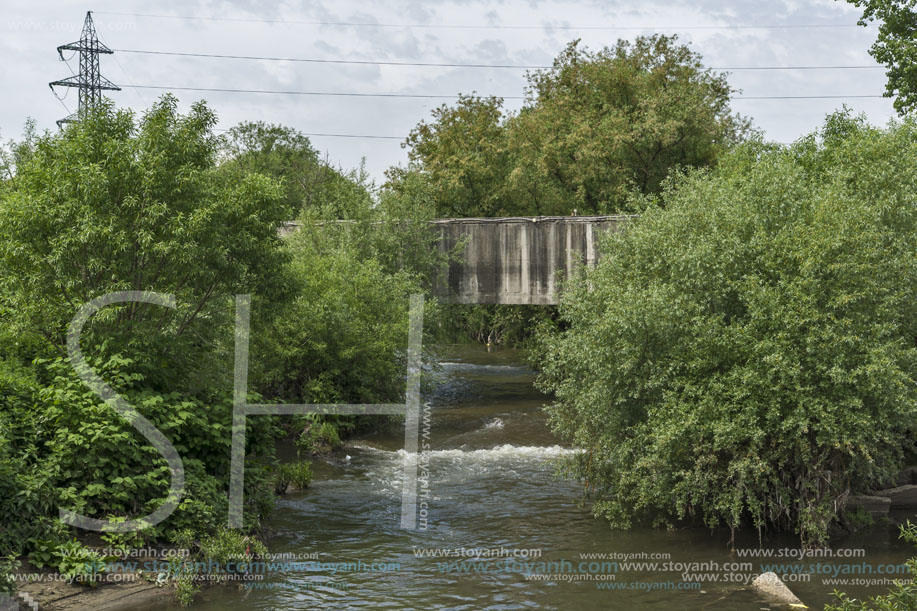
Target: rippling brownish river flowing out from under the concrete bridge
(493, 486)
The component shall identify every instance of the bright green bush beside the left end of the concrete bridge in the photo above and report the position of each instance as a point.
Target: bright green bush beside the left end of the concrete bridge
(343, 338)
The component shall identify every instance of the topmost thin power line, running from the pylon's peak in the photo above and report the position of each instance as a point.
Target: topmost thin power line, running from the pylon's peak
(484, 27)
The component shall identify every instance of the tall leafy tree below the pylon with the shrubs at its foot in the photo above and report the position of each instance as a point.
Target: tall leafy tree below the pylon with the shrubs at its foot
(114, 203)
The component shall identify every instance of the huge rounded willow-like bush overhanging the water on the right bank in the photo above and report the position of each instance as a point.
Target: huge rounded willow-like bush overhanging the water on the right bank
(746, 351)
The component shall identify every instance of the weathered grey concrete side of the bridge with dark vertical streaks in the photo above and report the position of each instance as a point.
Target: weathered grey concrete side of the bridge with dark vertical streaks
(517, 260)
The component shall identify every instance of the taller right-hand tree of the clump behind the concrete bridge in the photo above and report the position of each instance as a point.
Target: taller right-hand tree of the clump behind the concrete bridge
(601, 125)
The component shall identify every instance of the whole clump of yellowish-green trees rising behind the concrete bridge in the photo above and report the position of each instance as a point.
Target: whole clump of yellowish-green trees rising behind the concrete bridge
(595, 128)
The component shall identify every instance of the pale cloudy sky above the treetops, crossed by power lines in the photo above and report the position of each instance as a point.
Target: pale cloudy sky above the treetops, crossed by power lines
(729, 34)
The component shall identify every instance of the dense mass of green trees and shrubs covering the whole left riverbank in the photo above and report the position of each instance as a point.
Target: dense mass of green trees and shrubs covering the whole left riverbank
(162, 204)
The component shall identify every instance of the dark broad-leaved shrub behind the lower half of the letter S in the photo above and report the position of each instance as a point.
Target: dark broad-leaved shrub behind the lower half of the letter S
(104, 467)
